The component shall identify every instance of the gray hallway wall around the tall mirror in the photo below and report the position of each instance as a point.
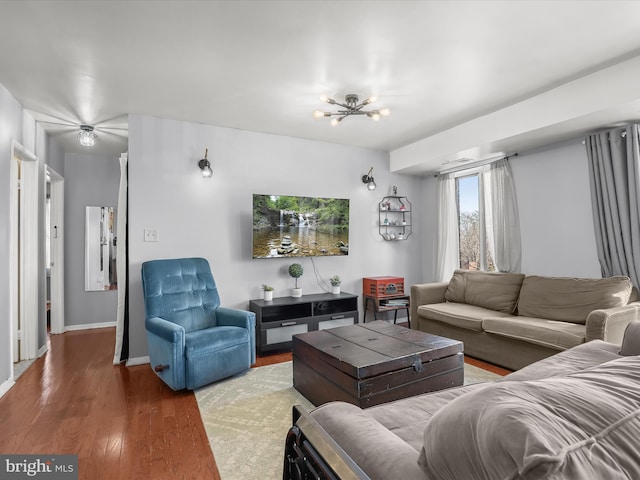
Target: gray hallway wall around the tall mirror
(90, 180)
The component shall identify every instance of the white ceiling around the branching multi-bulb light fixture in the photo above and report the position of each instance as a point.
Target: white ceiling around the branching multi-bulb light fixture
(262, 65)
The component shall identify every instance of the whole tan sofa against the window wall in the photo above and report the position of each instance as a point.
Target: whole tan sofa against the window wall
(512, 319)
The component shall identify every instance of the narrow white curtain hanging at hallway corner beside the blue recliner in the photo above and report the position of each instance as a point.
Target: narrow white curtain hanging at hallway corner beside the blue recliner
(121, 260)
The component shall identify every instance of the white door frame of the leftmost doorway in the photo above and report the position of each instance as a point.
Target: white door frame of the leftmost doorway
(26, 297)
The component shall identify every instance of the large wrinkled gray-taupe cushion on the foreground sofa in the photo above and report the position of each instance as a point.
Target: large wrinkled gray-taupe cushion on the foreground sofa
(582, 425)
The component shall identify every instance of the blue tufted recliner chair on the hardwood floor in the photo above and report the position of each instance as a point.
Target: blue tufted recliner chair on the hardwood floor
(192, 340)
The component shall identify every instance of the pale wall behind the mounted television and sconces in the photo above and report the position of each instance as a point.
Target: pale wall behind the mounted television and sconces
(212, 217)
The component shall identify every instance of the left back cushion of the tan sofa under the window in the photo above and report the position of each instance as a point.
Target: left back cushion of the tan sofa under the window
(493, 290)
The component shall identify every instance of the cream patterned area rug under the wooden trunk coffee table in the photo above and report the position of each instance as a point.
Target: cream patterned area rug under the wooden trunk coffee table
(247, 418)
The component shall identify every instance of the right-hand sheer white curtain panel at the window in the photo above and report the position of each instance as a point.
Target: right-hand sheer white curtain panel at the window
(501, 217)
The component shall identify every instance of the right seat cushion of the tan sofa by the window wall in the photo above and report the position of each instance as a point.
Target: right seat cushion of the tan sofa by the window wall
(548, 333)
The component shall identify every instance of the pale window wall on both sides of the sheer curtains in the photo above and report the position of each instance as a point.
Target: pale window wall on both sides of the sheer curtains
(554, 203)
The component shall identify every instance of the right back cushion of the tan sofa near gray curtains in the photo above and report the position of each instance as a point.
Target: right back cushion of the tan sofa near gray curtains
(571, 299)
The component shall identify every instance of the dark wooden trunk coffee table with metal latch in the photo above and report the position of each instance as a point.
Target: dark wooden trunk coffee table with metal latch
(371, 363)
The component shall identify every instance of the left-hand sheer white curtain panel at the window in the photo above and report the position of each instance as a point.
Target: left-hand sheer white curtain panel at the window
(447, 228)
